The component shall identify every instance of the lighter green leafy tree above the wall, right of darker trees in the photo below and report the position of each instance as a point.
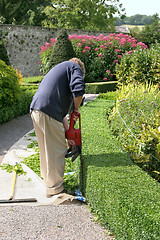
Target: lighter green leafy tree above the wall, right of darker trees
(82, 14)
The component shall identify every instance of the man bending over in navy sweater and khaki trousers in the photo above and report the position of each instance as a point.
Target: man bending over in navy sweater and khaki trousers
(62, 87)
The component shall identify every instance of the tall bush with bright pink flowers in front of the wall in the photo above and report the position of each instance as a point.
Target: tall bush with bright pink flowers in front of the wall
(99, 54)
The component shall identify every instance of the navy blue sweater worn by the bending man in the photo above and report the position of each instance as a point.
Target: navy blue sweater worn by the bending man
(57, 89)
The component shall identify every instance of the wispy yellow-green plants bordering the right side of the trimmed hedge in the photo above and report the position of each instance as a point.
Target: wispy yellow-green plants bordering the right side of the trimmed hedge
(136, 122)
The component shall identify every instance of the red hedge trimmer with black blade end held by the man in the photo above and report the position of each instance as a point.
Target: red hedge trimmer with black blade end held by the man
(75, 135)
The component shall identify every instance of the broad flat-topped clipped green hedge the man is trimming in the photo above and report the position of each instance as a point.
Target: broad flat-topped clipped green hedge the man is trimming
(125, 198)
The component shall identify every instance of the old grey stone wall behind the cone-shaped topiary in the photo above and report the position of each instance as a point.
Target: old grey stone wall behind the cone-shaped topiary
(23, 44)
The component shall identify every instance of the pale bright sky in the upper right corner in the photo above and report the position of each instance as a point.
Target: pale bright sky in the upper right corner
(142, 7)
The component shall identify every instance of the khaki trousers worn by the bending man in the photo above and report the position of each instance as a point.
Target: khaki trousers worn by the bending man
(52, 145)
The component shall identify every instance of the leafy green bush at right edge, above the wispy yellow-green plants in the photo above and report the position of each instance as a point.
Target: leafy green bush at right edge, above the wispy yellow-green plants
(139, 66)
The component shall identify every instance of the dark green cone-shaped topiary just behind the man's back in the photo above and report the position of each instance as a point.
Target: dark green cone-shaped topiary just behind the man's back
(63, 50)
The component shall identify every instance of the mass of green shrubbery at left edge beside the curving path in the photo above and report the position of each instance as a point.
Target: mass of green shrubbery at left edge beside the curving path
(15, 96)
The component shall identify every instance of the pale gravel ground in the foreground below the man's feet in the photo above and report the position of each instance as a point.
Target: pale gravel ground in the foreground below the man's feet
(67, 222)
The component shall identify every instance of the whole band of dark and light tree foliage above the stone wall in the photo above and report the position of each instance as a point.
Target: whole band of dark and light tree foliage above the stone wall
(77, 14)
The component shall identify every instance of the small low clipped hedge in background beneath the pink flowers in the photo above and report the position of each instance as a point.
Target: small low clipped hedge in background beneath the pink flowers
(101, 87)
